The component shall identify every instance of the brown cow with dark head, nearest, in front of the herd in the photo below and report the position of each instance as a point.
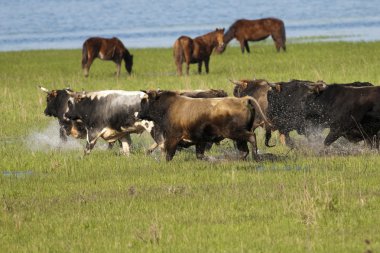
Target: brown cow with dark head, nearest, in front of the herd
(201, 120)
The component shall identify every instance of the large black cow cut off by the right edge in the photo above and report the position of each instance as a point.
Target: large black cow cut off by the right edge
(351, 112)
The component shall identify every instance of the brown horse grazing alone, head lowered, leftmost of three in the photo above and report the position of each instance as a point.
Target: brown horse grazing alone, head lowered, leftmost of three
(105, 49)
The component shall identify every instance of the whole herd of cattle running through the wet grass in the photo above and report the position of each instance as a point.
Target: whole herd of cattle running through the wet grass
(202, 117)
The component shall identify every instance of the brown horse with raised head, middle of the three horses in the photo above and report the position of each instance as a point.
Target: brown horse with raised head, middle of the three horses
(197, 50)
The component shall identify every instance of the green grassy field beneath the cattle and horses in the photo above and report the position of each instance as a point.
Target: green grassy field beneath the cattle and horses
(56, 200)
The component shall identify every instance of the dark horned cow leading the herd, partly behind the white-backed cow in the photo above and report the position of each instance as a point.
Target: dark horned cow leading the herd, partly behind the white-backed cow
(56, 106)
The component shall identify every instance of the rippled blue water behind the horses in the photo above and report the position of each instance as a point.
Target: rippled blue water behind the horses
(46, 24)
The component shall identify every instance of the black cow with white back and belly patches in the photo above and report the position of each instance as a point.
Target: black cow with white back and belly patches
(107, 114)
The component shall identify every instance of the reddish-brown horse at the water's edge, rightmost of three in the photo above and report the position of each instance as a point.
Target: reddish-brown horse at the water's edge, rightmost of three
(254, 30)
